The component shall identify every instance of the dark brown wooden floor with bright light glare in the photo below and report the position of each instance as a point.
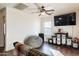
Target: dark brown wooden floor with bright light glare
(46, 49)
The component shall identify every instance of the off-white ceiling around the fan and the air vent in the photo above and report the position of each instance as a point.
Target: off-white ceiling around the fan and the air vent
(56, 6)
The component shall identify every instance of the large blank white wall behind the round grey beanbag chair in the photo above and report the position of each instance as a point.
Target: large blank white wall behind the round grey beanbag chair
(20, 25)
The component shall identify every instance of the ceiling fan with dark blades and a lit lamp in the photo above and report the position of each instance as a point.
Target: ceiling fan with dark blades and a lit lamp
(43, 11)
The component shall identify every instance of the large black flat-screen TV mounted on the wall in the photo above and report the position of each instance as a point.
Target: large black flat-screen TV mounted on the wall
(66, 19)
